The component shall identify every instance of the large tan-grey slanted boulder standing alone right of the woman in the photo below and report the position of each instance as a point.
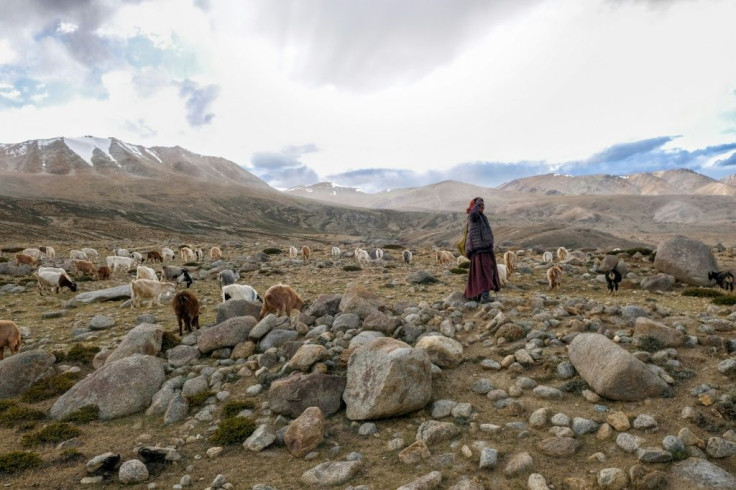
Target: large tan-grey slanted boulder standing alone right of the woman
(612, 371)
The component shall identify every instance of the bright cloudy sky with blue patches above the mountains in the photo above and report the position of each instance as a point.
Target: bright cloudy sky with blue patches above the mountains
(380, 94)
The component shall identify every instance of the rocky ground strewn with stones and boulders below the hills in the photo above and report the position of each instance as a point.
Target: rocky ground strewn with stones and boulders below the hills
(508, 404)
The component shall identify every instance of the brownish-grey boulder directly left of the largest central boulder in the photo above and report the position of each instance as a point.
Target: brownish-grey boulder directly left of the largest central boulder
(292, 395)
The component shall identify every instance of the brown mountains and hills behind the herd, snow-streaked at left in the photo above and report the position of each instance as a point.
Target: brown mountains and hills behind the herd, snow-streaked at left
(104, 188)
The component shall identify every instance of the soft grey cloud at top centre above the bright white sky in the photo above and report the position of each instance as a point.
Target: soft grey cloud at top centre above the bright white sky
(363, 46)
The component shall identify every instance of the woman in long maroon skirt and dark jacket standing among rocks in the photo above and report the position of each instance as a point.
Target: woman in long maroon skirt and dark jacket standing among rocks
(483, 275)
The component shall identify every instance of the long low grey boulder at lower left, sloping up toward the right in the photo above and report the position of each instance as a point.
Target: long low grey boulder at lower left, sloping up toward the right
(118, 389)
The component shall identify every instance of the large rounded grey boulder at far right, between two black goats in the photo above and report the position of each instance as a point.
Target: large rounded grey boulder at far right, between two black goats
(688, 260)
